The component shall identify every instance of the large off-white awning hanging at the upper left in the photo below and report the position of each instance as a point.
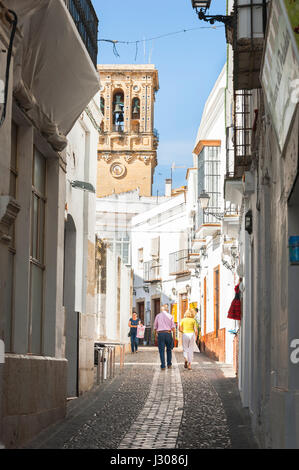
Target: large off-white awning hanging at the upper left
(54, 77)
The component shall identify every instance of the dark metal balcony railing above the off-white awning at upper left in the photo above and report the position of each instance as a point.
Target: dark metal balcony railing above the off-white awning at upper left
(86, 22)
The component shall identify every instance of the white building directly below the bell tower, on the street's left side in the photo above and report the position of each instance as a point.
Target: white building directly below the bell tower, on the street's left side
(114, 215)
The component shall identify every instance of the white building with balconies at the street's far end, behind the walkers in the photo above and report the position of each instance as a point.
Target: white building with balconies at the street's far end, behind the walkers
(159, 256)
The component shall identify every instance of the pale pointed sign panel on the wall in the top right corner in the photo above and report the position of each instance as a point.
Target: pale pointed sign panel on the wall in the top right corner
(280, 69)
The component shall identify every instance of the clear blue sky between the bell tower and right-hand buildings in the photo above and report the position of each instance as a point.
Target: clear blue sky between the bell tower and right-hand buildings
(188, 65)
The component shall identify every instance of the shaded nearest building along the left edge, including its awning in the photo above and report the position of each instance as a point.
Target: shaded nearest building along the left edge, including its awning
(46, 95)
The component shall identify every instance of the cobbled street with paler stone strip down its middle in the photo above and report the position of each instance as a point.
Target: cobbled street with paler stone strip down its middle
(146, 408)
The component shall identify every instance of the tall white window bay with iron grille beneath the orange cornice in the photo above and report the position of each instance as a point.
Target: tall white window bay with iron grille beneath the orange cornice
(209, 180)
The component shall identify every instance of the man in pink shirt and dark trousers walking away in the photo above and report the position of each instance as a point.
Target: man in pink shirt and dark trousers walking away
(164, 327)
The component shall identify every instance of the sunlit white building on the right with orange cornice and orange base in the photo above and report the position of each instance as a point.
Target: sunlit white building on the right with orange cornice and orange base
(212, 250)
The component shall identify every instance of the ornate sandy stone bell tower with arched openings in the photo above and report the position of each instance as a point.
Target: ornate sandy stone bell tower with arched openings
(127, 150)
